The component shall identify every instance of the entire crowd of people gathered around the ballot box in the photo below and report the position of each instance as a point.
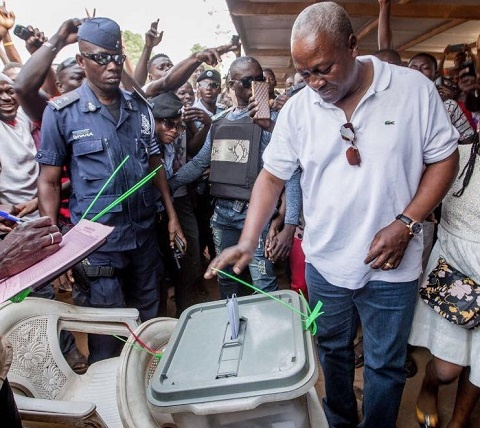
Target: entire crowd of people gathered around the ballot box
(344, 181)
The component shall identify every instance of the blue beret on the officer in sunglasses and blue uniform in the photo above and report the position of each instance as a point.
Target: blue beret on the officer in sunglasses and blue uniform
(102, 32)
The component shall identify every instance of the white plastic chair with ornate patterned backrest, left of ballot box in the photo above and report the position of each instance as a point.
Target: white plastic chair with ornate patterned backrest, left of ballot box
(47, 391)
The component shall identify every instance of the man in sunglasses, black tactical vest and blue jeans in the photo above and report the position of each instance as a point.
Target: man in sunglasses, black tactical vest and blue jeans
(233, 150)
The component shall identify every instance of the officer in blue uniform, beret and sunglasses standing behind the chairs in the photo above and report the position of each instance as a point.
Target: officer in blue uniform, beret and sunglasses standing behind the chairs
(91, 130)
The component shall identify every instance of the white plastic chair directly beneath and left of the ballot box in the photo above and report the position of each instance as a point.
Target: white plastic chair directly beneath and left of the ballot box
(135, 371)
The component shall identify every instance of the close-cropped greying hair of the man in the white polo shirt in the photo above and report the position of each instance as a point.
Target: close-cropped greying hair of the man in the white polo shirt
(326, 18)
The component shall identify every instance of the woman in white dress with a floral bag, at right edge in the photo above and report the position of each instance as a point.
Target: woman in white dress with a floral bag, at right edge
(455, 350)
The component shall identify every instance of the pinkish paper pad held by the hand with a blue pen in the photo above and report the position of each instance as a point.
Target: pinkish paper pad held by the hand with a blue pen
(76, 244)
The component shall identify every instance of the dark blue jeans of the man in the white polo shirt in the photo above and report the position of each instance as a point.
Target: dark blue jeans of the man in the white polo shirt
(386, 311)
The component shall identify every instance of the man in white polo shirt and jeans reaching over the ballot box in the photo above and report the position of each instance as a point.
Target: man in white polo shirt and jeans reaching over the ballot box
(362, 132)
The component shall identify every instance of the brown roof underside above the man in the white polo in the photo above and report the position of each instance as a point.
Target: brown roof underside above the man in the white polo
(264, 27)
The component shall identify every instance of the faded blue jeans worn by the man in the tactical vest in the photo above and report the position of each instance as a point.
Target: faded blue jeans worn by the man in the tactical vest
(227, 225)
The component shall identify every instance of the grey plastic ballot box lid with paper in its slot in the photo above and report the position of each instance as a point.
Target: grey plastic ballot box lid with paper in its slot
(272, 358)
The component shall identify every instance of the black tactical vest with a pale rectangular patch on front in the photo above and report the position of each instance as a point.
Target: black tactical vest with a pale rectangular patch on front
(235, 158)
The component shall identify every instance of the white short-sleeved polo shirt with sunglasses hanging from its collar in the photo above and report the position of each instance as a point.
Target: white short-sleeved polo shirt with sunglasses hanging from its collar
(400, 124)
